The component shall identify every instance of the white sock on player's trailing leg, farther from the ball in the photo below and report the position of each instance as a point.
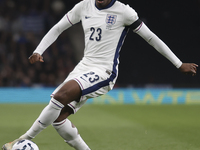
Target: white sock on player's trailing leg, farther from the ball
(70, 134)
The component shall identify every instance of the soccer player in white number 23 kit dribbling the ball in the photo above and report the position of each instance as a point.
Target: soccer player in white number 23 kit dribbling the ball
(105, 24)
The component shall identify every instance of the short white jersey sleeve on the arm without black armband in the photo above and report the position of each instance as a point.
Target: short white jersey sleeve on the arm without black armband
(74, 15)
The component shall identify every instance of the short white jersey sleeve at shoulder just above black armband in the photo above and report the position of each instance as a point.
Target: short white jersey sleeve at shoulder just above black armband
(130, 15)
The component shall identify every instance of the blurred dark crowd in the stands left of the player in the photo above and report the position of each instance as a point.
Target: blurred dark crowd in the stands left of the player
(22, 25)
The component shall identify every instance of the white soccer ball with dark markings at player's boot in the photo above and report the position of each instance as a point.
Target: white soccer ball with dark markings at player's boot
(25, 145)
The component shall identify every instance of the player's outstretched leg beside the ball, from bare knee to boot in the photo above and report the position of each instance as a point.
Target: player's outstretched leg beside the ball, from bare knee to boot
(69, 92)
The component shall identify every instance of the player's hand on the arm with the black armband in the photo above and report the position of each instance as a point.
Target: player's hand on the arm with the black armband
(189, 68)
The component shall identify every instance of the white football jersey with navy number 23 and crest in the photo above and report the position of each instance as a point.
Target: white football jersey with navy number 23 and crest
(105, 31)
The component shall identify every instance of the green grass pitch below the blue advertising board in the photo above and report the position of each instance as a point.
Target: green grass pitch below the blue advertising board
(112, 127)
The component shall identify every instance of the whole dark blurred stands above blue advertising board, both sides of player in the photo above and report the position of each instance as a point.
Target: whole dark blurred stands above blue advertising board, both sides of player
(23, 23)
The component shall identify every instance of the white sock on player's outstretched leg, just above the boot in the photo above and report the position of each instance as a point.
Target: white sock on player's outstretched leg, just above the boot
(49, 114)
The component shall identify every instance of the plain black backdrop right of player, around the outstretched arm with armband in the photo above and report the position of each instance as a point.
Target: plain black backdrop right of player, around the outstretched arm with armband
(177, 23)
